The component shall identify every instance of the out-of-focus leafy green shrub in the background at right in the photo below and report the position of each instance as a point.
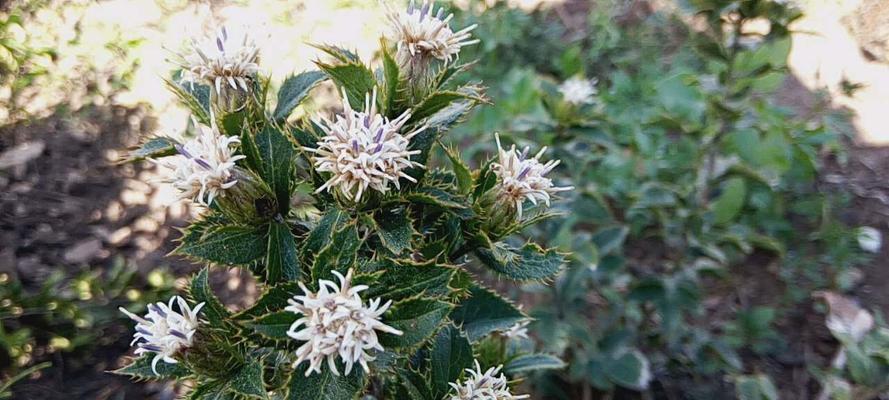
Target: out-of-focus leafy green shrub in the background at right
(691, 181)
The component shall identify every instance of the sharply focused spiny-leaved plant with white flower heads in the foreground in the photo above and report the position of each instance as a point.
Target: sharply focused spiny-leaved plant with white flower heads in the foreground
(351, 197)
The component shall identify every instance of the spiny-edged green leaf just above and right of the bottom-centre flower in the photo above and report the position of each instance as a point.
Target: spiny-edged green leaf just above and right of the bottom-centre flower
(402, 280)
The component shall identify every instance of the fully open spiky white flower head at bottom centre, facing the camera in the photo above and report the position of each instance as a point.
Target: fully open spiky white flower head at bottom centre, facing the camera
(334, 323)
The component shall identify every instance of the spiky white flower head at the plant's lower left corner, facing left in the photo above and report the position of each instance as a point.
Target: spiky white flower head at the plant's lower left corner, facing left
(164, 331)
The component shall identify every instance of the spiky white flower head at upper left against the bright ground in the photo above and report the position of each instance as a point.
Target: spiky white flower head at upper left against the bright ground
(226, 60)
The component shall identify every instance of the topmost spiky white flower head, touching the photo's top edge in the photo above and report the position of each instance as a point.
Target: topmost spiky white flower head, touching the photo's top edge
(421, 32)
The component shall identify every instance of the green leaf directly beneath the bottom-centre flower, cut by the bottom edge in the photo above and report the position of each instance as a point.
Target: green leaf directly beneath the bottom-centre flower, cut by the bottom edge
(325, 385)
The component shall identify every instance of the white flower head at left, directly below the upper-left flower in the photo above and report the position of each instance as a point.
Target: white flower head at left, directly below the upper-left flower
(204, 166)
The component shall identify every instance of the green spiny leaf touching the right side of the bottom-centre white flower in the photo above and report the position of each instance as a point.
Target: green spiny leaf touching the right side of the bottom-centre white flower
(417, 318)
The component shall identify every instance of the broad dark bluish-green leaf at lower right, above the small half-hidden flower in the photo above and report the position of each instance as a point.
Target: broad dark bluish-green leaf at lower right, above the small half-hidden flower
(485, 312)
